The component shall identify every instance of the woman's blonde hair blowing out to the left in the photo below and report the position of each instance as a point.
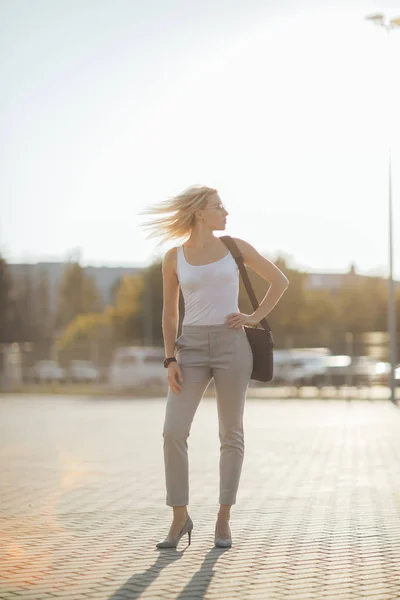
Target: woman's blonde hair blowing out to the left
(174, 218)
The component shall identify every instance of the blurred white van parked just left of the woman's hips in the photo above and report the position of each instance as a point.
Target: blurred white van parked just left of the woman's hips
(136, 366)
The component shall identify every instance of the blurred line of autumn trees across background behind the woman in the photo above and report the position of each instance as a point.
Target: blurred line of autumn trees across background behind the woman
(307, 316)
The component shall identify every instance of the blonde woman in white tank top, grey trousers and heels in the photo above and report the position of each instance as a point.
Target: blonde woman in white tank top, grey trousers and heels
(213, 344)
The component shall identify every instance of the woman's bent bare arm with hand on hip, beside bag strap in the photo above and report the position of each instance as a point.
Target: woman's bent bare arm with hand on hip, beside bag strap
(268, 271)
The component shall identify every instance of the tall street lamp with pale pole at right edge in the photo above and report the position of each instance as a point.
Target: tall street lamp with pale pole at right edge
(389, 25)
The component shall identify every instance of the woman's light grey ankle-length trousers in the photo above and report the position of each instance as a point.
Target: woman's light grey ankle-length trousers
(203, 352)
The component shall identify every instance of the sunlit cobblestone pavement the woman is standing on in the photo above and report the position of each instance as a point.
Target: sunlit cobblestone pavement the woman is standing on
(83, 502)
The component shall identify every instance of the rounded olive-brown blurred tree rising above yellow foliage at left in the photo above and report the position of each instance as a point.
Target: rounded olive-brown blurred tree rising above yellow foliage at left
(77, 294)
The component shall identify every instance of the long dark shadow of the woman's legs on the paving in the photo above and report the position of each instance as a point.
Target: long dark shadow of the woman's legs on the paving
(195, 588)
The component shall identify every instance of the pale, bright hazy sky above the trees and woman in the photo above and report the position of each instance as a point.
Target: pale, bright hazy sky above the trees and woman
(287, 109)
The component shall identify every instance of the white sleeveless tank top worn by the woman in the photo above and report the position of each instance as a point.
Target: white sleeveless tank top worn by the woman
(210, 292)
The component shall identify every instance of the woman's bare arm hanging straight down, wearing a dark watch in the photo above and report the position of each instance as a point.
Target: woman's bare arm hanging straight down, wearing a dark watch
(170, 313)
